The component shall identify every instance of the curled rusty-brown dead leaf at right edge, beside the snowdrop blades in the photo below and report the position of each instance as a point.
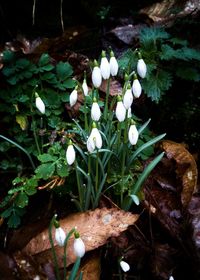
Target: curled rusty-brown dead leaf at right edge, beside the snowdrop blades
(186, 168)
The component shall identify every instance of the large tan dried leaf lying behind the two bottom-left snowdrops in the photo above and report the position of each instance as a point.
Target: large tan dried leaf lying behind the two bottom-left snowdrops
(95, 227)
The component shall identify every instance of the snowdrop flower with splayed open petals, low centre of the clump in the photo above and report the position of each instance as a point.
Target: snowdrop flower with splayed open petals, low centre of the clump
(94, 140)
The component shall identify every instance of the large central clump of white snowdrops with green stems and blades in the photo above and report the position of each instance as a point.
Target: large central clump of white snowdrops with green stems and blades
(103, 148)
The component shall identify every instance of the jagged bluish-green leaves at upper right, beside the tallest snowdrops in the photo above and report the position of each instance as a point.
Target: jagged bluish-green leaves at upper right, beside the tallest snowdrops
(166, 58)
